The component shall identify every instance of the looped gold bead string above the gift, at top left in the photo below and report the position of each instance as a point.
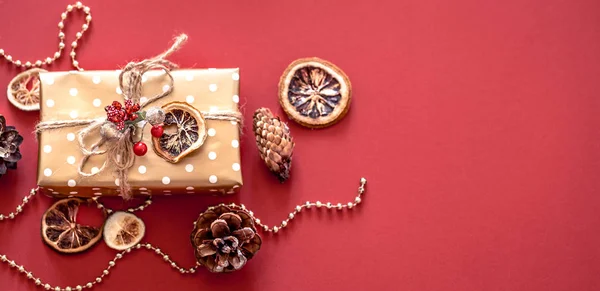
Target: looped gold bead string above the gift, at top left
(61, 44)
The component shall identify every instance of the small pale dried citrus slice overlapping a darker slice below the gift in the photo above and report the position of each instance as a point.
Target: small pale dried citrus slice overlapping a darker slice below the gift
(123, 230)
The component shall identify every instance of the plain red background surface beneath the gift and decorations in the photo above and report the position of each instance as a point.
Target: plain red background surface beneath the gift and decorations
(476, 123)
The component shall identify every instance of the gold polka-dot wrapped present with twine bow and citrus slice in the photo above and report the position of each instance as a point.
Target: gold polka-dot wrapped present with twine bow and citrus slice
(83, 153)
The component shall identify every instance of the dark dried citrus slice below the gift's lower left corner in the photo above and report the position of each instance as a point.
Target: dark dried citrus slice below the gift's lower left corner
(61, 231)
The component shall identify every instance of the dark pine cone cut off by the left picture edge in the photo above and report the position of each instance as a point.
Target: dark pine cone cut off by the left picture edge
(10, 140)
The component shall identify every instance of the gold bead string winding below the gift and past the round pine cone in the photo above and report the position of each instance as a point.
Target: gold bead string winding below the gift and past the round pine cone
(157, 251)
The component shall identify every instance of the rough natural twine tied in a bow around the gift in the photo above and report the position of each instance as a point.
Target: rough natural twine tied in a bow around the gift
(119, 150)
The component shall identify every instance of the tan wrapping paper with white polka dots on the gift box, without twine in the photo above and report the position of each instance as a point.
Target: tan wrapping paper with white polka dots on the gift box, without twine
(213, 168)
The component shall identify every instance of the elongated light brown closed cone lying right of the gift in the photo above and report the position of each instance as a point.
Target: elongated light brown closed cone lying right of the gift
(274, 143)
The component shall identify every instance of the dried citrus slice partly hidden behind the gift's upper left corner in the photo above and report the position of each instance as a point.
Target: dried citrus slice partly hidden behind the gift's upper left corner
(24, 90)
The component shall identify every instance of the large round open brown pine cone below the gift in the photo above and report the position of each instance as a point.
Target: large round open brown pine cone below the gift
(224, 239)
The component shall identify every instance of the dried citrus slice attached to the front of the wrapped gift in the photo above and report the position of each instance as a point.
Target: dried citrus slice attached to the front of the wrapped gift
(184, 132)
